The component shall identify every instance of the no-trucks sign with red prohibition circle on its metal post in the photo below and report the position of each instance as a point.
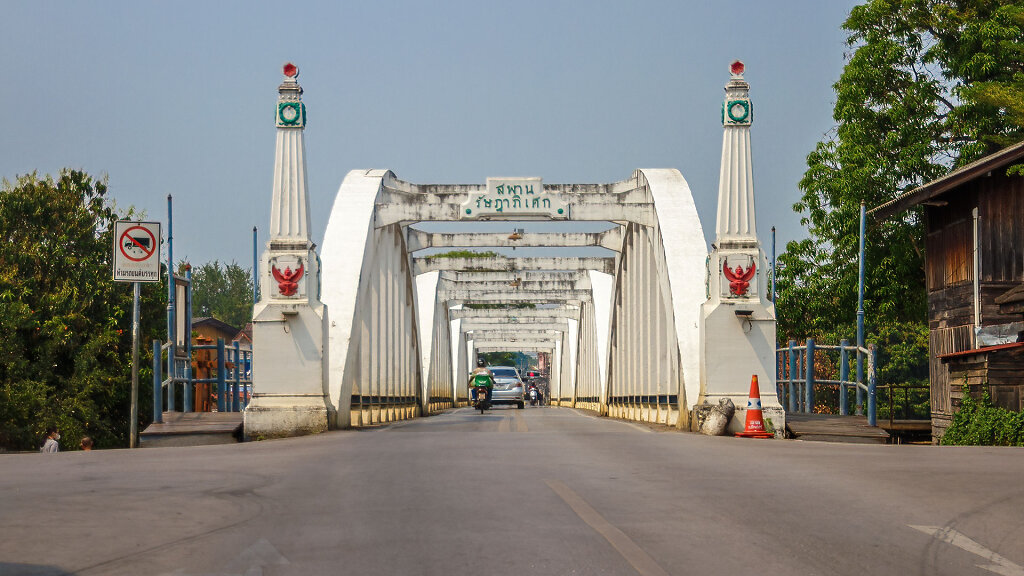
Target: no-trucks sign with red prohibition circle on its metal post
(137, 260)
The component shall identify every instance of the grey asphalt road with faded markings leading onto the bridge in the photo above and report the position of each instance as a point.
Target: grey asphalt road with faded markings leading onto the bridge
(519, 492)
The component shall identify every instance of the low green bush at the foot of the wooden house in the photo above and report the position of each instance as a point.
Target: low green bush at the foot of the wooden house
(980, 424)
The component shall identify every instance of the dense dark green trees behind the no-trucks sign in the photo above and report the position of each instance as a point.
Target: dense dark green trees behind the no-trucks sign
(65, 325)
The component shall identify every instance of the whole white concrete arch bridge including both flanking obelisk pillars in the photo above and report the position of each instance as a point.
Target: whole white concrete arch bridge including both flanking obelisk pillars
(613, 280)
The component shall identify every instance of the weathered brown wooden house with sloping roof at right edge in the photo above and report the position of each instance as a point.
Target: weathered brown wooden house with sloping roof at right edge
(974, 268)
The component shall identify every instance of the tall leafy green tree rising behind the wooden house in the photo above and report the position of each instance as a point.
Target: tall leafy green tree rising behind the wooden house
(929, 86)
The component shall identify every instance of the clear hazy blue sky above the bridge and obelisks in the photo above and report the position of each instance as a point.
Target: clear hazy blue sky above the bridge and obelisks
(179, 98)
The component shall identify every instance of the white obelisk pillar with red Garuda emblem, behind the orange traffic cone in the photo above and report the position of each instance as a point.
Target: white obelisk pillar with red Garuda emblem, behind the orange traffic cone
(738, 322)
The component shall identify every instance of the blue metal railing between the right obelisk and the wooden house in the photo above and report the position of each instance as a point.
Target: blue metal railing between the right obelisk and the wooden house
(798, 368)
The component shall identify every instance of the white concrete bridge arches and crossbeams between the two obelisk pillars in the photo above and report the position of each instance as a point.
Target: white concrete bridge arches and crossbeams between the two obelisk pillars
(622, 328)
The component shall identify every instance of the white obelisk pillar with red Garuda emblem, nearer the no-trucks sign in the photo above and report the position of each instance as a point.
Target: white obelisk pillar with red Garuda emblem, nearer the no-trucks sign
(290, 323)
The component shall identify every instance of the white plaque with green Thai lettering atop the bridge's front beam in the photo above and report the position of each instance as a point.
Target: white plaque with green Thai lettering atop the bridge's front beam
(510, 198)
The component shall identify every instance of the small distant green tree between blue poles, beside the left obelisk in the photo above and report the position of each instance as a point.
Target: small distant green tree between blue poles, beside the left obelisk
(226, 294)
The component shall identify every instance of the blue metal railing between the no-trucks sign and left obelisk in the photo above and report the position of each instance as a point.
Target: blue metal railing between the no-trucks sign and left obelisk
(233, 379)
